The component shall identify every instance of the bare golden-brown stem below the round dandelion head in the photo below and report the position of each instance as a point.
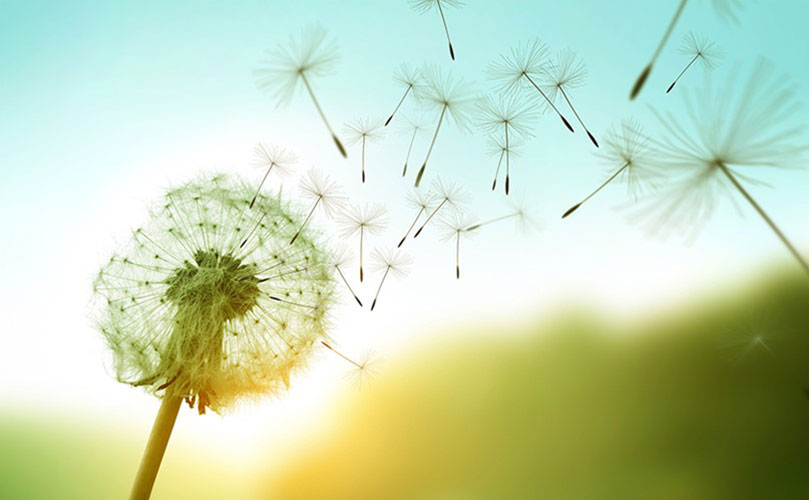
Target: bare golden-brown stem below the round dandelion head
(155, 448)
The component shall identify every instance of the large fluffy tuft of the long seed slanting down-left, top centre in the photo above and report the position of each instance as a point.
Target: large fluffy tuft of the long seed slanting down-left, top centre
(442, 91)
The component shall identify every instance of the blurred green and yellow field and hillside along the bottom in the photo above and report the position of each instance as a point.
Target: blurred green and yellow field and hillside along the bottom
(686, 405)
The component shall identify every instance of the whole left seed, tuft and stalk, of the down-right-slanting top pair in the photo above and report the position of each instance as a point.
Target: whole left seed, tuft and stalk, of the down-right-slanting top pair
(523, 66)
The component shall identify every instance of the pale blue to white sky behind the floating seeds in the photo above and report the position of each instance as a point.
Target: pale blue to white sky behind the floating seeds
(106, 104)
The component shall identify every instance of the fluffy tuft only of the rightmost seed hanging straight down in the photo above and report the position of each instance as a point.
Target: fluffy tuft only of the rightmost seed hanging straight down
(512, 111)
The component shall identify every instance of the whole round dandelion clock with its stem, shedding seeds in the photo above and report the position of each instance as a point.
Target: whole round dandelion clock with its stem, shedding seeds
(189, 315)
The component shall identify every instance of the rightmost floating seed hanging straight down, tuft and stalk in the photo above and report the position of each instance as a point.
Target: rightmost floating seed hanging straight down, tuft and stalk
(503, 117)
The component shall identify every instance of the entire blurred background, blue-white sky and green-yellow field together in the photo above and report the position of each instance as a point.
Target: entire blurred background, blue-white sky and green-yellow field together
(579, 360)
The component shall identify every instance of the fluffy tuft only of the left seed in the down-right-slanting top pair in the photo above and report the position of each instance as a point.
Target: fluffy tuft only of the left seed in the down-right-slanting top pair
(509, 73)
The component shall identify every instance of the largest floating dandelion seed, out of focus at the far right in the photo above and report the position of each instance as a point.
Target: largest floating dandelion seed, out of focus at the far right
(751, 131)
